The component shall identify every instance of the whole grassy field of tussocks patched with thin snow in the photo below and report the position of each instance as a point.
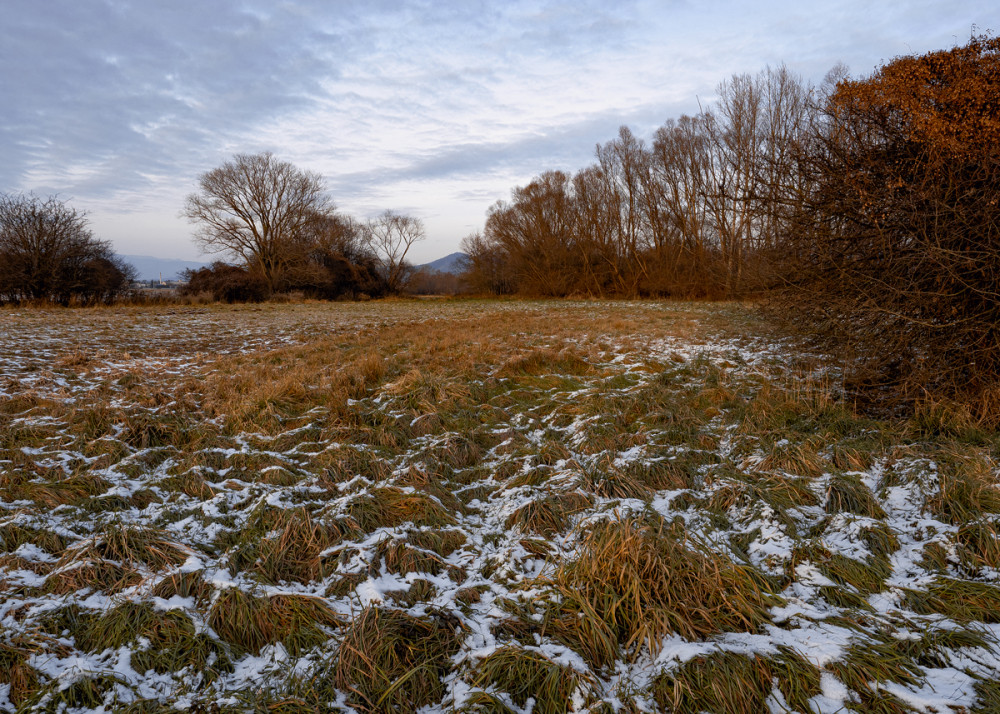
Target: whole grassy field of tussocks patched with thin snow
(478, 507)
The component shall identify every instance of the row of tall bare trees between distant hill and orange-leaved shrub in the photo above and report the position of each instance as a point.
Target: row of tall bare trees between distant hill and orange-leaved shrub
(692, 213)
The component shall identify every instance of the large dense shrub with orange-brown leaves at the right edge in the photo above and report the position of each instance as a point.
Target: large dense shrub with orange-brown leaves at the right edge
(894, 246)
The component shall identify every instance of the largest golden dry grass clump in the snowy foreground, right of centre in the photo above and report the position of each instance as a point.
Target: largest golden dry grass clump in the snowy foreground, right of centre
(638, 580)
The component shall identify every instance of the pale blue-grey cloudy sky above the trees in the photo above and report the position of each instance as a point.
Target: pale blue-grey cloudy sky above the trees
(431, 107)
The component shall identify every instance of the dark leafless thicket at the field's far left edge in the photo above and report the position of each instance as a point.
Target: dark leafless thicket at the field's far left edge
(47, 253)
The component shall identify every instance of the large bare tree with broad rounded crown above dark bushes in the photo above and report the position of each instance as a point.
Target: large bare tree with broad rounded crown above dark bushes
(256, 207)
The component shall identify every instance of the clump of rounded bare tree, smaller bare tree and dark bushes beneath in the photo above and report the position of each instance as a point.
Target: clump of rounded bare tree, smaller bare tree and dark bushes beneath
(278, 224)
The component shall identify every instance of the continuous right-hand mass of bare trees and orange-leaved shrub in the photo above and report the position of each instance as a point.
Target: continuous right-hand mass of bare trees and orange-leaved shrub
(865, 211)
